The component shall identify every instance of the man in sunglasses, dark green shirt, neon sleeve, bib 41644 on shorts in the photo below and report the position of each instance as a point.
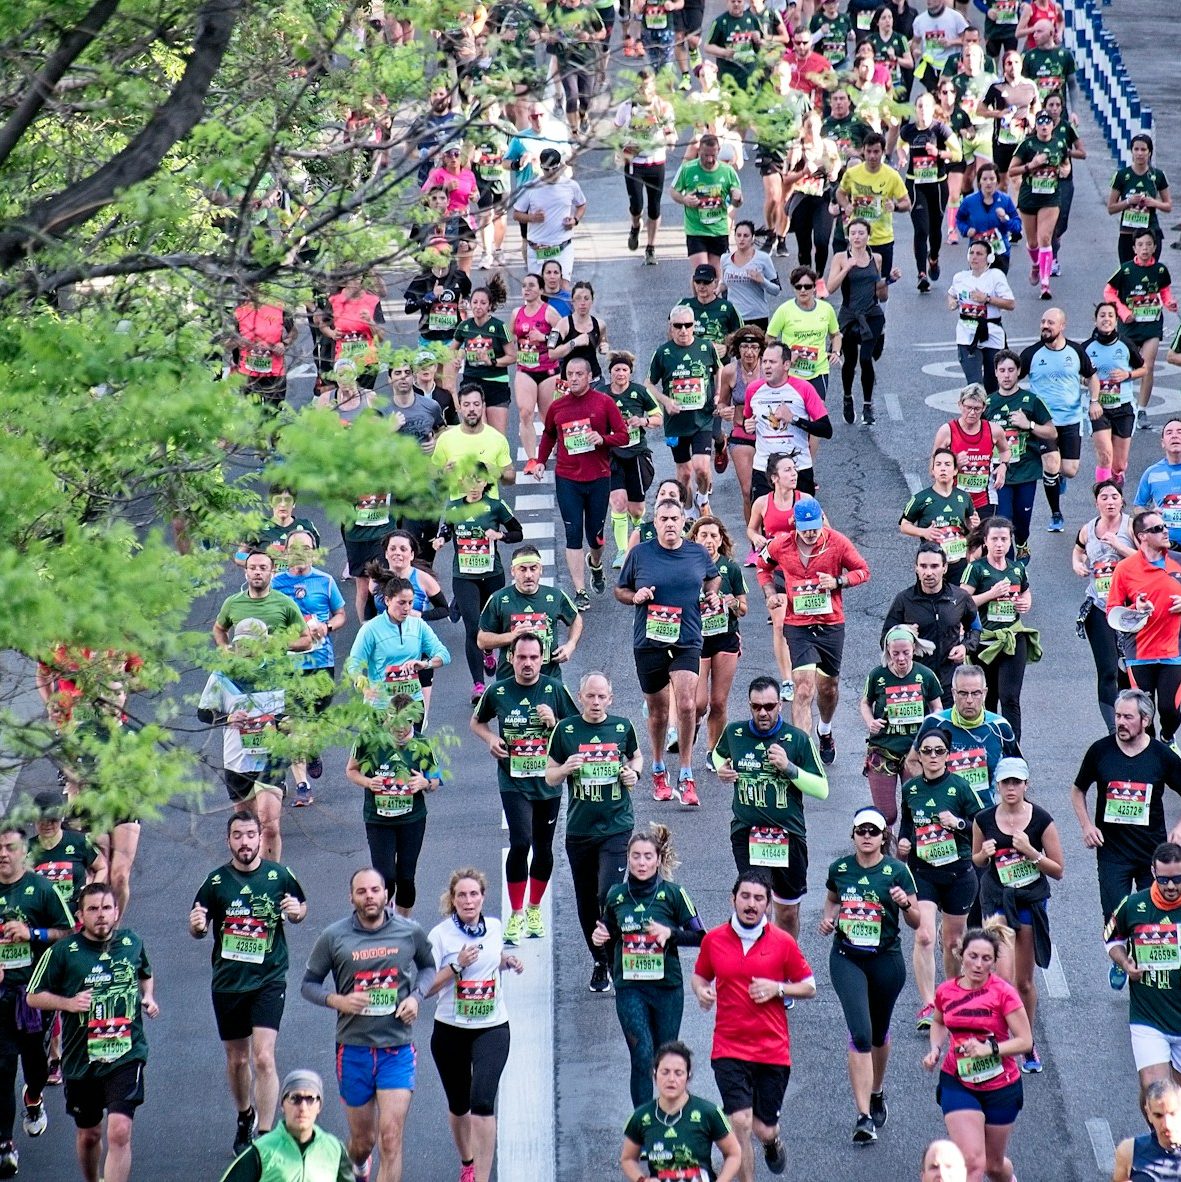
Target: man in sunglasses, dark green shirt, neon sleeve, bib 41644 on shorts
(773, 767)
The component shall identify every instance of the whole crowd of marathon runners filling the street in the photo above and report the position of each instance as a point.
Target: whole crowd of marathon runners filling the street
(962, 121)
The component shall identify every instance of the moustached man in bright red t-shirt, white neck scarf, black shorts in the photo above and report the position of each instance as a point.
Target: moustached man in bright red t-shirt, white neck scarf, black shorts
(754, 972)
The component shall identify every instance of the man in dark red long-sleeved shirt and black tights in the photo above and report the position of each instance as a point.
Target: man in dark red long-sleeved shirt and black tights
(583, 427)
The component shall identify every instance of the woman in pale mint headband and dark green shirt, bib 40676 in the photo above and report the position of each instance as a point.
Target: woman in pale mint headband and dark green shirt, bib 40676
(899, 694)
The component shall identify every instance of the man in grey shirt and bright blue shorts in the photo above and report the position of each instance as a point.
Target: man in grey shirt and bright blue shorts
(382, 969)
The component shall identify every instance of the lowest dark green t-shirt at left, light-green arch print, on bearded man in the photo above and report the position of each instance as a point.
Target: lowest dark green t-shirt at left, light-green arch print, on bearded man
(109, 1035)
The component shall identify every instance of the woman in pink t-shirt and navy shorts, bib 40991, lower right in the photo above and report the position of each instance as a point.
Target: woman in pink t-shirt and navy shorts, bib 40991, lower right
(979, 1082)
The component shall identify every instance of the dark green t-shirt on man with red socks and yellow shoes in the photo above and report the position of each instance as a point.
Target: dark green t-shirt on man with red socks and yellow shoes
(527, 737)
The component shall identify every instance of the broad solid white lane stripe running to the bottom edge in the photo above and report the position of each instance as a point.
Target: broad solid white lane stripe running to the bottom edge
(525, 1145)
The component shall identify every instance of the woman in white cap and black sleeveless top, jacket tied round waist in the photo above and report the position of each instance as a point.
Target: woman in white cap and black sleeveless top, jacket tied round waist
(1017, 843)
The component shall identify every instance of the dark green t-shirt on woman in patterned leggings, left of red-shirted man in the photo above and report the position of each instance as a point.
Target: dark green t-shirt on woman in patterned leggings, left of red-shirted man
(627, 915)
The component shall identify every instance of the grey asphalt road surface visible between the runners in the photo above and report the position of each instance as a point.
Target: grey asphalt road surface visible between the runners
(1088, 1089)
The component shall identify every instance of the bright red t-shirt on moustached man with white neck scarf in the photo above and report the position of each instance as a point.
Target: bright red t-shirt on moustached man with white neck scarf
(744, 1029)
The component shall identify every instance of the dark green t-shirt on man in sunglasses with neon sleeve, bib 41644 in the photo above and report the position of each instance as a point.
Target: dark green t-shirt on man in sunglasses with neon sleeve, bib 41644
(765, 800)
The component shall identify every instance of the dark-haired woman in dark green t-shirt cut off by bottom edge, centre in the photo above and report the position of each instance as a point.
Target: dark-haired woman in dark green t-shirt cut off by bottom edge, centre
(693, 1148)
